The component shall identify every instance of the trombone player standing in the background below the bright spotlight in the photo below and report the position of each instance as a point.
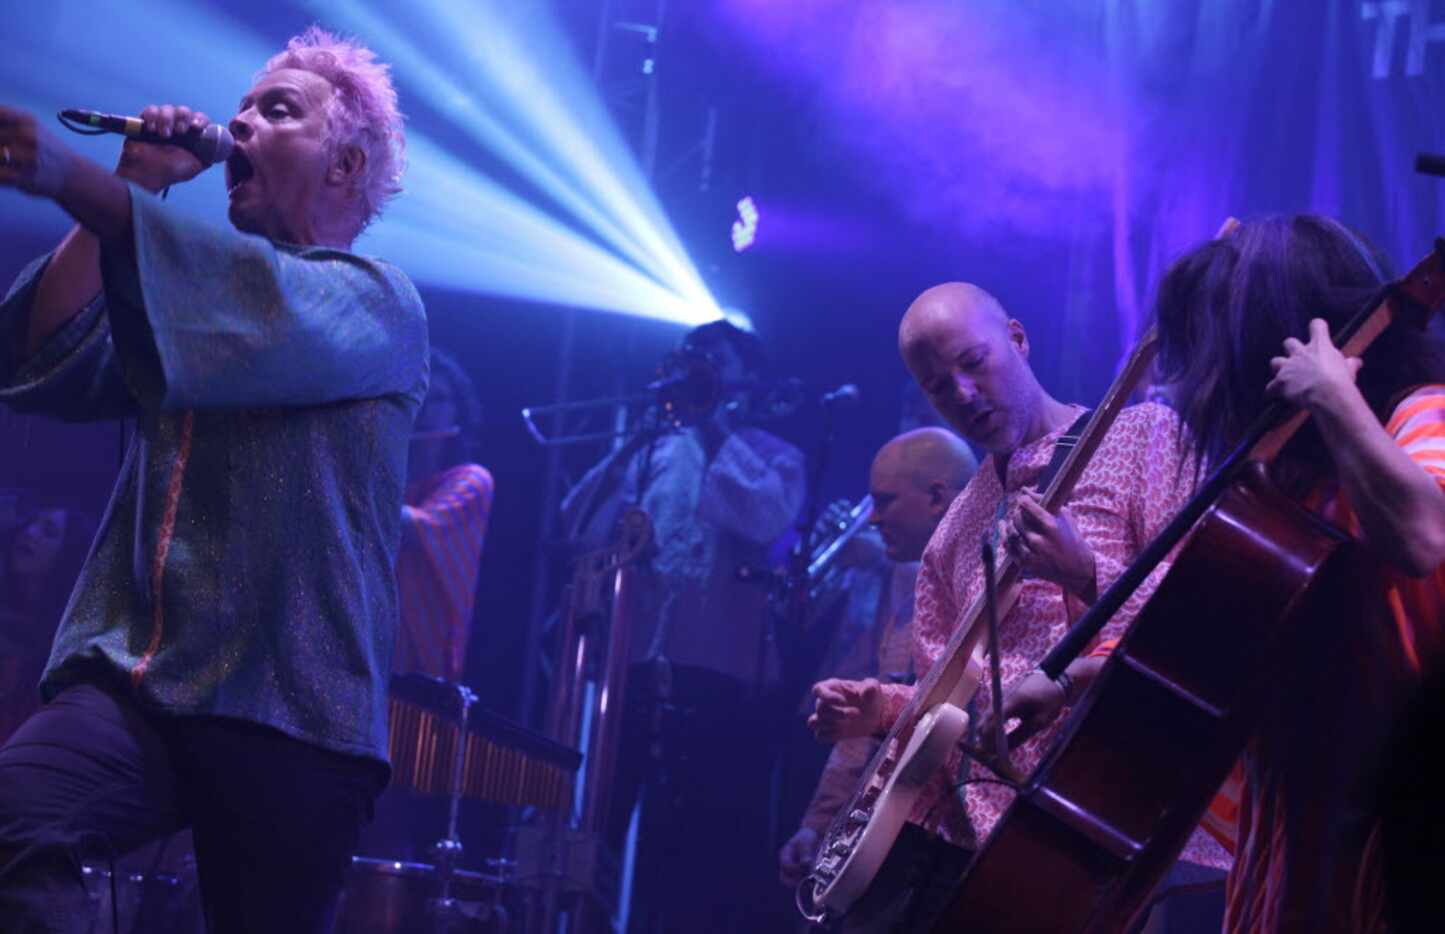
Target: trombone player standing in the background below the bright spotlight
(699, 695)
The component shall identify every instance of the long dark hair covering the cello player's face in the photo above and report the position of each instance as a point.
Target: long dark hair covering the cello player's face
(1225, 309)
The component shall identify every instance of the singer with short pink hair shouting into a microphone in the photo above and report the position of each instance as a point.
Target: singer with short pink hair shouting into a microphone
(222, 663)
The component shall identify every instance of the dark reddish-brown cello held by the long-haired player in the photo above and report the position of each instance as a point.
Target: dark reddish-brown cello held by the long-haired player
(1103, 818)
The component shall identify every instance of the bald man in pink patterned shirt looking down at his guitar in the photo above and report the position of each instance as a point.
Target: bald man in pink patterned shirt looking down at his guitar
(972, 361)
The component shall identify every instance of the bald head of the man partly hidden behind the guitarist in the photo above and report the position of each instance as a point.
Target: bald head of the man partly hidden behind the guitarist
(914, 481)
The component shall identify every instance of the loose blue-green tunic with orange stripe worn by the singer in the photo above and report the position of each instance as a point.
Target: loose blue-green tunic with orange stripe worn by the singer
(245, 565)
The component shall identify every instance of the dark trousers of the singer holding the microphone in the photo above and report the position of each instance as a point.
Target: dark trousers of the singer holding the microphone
(92, 776)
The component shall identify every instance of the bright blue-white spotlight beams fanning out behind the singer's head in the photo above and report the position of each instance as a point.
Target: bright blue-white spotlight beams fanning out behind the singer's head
(501, 76)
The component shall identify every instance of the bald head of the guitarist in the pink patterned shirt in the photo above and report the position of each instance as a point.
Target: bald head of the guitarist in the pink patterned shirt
(972, 361)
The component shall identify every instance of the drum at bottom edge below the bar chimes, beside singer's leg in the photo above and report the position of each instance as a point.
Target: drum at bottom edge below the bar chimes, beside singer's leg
(385, 897)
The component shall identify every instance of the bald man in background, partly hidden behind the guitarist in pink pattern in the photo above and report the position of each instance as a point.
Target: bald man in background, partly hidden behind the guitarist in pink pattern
(914, 481)
